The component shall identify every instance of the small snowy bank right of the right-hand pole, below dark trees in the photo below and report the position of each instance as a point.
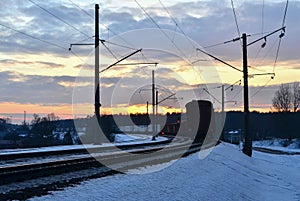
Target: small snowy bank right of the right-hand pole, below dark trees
(289, 146)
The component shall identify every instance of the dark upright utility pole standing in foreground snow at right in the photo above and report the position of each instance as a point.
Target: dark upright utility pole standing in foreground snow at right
(247, 149)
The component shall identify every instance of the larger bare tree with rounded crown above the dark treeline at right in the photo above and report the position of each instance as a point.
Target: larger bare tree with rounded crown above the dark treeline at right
(282, 100)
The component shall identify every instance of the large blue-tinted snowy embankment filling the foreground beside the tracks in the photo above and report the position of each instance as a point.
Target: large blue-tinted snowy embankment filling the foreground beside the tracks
(225, 174)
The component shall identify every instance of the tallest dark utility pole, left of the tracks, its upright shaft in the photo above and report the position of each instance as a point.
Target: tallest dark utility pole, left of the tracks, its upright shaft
(97, 74)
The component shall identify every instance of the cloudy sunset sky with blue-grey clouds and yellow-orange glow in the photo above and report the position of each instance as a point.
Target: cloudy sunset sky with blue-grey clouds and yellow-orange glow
(38, 72)
